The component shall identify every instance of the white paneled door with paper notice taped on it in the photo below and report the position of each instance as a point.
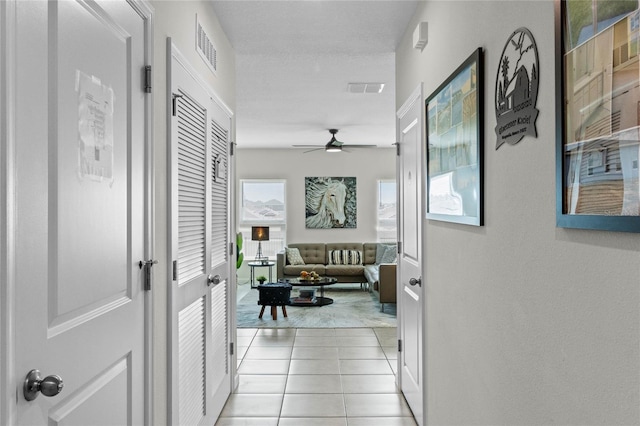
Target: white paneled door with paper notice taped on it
(79, 223)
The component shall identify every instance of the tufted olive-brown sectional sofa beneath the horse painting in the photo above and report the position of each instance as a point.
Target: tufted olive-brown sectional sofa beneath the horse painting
(380, 279)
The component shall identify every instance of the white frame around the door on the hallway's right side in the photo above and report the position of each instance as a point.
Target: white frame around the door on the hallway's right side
(416, 96)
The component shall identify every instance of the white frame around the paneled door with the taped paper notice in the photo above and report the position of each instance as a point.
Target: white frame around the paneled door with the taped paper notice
(8, 73)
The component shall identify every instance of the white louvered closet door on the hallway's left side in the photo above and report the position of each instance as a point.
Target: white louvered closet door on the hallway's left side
(199, 293)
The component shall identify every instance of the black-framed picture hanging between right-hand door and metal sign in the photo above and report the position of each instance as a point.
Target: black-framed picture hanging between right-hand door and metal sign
(454, 114)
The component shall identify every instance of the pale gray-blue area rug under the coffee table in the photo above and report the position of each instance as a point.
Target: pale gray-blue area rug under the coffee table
(351, 307)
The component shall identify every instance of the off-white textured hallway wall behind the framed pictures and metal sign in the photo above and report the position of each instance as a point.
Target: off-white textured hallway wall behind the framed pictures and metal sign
(526, 323)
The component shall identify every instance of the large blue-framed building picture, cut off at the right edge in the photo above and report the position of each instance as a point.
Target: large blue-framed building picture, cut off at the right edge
(597, 115)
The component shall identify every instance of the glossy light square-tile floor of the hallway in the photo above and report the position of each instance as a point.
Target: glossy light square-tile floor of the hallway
(319, 376)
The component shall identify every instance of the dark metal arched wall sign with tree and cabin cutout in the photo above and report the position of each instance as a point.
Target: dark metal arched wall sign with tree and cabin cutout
(517, 89)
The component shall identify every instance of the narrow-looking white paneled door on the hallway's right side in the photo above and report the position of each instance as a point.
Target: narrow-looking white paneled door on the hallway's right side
(410, 118)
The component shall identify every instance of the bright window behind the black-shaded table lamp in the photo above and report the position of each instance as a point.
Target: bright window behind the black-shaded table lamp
(262, 202)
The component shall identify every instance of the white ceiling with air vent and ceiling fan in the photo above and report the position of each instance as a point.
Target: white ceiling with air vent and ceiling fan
(294, 59)
